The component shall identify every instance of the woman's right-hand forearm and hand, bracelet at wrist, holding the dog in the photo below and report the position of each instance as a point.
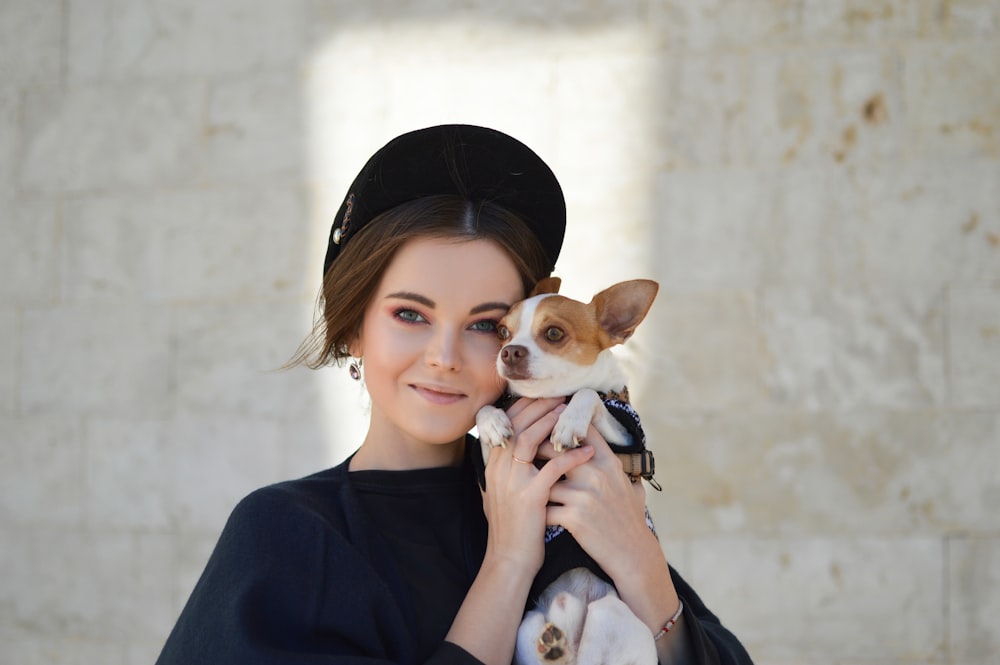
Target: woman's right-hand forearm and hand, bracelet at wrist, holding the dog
(605, 512)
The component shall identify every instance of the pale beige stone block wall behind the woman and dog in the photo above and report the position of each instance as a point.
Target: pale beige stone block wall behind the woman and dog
(815, 184)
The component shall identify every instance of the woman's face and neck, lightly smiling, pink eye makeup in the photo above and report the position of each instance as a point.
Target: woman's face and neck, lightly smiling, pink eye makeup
(429, 345)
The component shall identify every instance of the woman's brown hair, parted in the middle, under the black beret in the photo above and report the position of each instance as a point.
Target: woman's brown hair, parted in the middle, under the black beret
(353, 278)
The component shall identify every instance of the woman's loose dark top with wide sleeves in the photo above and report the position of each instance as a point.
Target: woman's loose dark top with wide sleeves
(362, 567)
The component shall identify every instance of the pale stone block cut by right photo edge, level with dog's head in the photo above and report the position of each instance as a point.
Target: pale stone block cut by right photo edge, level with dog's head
(974, 347)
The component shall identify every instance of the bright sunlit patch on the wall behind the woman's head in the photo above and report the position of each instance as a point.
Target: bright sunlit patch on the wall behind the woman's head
(582, 101)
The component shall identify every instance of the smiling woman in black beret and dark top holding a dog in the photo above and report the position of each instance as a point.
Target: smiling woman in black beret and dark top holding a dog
(395, 555)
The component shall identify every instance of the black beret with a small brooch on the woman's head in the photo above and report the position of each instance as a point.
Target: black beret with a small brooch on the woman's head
(475, 163)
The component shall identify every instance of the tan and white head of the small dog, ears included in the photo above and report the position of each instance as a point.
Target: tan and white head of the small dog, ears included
(554, 345)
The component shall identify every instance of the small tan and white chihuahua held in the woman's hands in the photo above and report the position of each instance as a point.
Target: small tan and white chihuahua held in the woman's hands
(554, 346)
